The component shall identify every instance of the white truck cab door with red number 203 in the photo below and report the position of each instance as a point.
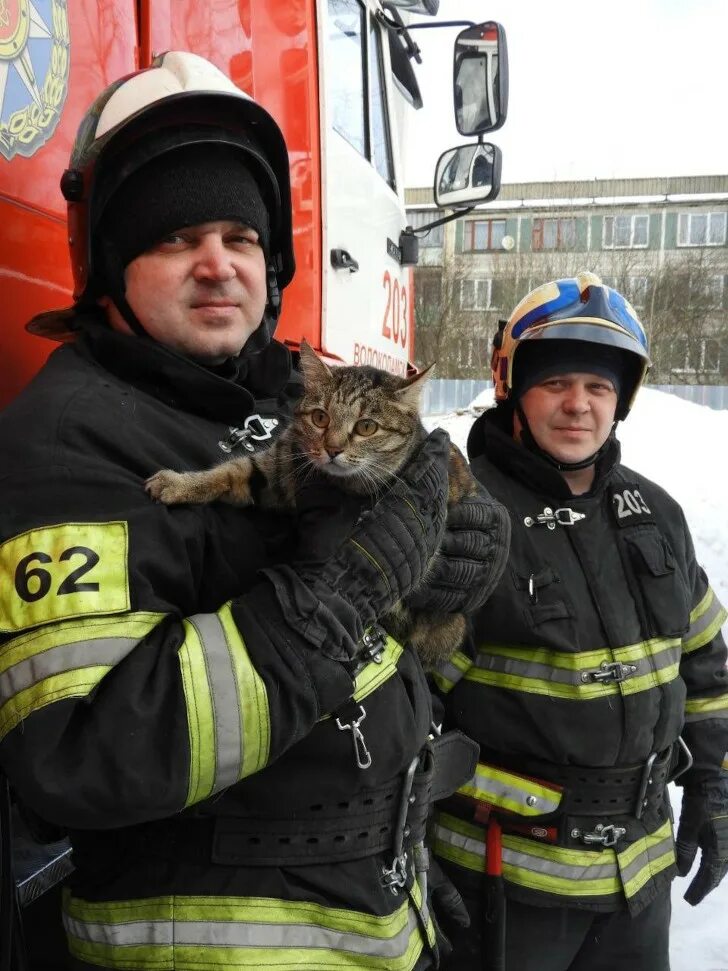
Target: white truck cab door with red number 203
(366, 291)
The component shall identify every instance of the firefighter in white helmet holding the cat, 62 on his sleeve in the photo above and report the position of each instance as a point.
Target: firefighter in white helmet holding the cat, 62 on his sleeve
(188, 691)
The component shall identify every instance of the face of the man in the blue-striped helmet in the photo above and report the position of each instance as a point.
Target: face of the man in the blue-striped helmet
(570, 415)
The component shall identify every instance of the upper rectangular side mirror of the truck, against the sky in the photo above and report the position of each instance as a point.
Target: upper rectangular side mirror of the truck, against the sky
(480, 78)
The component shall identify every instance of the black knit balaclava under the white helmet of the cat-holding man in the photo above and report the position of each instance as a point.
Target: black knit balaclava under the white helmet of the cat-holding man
(185, 186)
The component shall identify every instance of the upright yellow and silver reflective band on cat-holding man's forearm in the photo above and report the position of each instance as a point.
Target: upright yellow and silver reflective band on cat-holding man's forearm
(227, 706)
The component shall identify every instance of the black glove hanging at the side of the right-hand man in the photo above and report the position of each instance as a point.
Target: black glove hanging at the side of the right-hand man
(704, 824)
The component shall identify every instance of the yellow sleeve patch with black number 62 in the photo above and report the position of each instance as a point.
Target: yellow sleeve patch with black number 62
(58, 572)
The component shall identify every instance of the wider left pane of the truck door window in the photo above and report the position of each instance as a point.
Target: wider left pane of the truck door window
(346, 26)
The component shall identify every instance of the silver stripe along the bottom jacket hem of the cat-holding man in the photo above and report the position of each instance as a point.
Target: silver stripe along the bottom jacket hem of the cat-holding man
(217, 933)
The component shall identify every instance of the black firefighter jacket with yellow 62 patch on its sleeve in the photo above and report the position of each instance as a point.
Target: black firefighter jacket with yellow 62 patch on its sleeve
(151, 694)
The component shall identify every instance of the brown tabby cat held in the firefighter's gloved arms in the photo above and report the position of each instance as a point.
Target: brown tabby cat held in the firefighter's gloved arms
(358, 425)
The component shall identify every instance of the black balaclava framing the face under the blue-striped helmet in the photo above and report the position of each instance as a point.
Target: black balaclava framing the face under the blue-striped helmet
(539, 360)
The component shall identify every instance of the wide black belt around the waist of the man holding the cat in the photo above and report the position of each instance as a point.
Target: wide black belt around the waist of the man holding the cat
(368, 822)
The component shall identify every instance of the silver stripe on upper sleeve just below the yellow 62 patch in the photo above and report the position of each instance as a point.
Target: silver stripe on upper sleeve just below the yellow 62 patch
(100, 651)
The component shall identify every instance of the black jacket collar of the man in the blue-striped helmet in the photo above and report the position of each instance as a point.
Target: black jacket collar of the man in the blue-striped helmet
(492, 436)
